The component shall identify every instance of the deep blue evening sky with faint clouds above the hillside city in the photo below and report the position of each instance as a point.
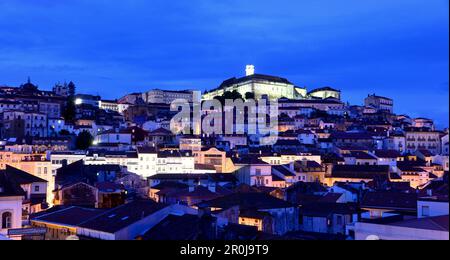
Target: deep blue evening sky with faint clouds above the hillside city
(394, 48)
